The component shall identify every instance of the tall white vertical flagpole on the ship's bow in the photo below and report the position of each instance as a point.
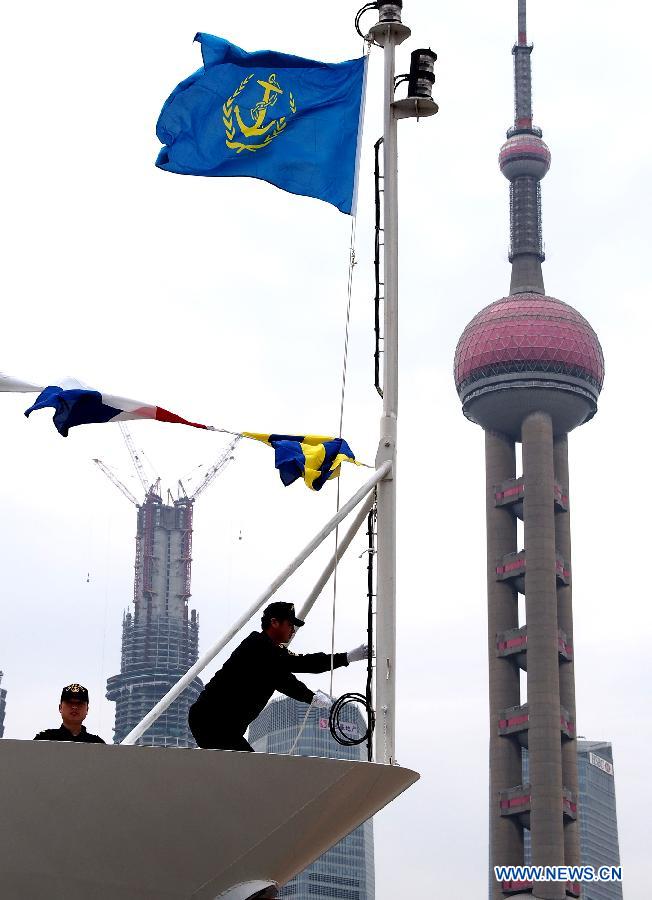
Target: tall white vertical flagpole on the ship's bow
(389, 32)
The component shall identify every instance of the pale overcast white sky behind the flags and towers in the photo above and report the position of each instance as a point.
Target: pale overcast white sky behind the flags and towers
(224, 300)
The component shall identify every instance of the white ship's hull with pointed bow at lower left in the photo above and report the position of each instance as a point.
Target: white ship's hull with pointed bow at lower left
(103, 822)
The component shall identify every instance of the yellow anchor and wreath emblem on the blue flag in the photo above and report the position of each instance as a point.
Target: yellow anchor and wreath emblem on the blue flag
(260, 133)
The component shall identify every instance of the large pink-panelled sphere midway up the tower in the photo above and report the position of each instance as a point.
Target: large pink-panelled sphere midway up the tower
(527, 353)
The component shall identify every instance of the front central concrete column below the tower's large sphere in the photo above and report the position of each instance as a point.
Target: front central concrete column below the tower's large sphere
(544, 746)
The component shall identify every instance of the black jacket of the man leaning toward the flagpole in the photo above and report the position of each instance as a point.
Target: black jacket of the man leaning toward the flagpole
(242, 688)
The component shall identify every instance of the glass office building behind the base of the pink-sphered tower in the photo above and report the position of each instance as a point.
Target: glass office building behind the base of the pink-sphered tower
(596, 815)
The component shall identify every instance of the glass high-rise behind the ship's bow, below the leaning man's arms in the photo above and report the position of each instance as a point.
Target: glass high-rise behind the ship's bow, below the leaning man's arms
(346, 871)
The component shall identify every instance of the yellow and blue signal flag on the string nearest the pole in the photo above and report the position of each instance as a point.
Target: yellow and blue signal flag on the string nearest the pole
(313, 457)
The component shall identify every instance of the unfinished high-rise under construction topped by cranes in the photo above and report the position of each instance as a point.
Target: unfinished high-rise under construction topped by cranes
(159, 638)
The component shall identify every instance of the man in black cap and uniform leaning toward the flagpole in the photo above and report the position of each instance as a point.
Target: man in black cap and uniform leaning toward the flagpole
(262, 664)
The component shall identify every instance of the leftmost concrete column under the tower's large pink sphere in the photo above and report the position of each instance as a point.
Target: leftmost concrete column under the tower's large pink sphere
(506, 834)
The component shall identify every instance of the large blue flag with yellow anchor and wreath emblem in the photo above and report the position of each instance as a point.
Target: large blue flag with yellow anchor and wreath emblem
(293, 122)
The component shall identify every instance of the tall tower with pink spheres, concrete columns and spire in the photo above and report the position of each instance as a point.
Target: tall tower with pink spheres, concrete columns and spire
(529, 368)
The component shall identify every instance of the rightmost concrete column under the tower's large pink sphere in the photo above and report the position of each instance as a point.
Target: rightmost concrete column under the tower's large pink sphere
(567, 668)
